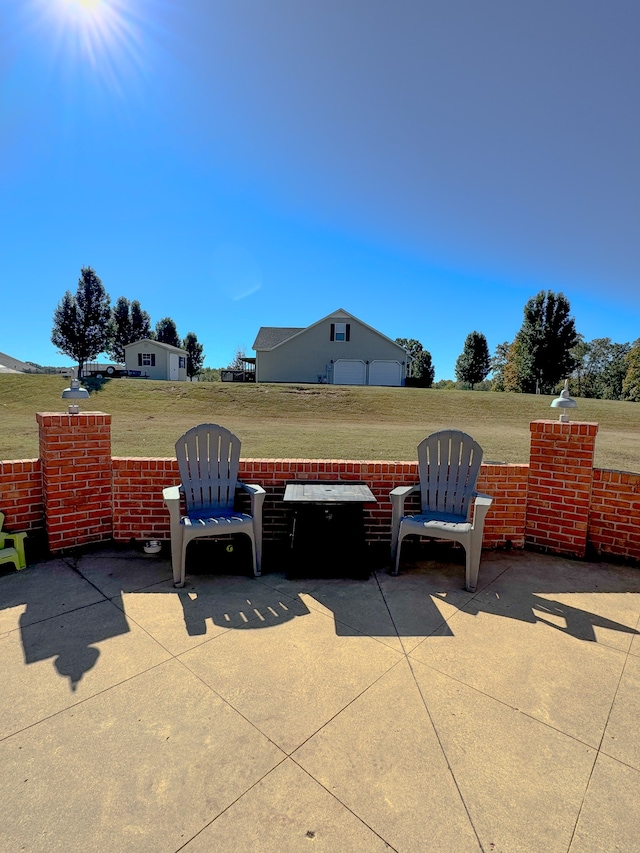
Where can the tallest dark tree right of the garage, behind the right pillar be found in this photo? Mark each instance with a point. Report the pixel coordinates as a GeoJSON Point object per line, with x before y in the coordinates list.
{"type": "Point", "coordinates": [544, 343]}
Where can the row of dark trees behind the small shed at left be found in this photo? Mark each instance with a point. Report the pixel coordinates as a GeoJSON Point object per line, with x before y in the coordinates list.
{"type": "Point", "coordinates": [85, 325]}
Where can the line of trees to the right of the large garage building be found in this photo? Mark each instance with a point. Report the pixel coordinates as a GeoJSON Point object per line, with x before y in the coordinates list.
{"type": "Point", "coordinates": [546, 350]}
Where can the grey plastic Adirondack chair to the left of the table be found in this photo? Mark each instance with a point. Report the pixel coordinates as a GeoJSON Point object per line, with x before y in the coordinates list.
{"type": "Point", "coordinates": [208, 458]}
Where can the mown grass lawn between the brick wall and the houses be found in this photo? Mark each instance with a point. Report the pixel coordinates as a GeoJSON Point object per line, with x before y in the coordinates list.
{"type": "Point", "coordinates": [314, 421]}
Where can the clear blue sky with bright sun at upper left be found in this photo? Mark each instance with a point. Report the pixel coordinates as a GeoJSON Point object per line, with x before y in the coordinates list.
{"type": "Point", "coordinates": [427, 165]}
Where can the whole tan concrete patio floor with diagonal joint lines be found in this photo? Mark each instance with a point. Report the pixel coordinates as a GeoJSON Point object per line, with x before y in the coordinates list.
{"type": "Point", "coordinates": [320, 715]}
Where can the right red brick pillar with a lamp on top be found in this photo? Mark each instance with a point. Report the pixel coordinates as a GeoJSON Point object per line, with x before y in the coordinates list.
{"type": "Point", "coordinates": [559, 487]}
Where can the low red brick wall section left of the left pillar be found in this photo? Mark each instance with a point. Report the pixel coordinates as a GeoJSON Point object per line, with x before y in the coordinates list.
{"type": "Point", "coordinates": [21, 498]}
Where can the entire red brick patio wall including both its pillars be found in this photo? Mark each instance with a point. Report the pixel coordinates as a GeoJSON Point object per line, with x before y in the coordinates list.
{"type": "Point", "coordinates": [558, 502]}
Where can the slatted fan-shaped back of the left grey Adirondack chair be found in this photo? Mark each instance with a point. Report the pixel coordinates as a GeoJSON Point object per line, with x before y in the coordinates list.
{"type": "Point", "coordinates": [208, 459]}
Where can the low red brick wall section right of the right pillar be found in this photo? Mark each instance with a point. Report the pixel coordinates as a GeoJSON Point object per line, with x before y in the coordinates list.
{"type": "Point", "coordinates": [614, 514]}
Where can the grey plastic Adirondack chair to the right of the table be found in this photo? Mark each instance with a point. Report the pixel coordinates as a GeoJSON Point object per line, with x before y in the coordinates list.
{"type": "Point", "coordinates": [449, 462]}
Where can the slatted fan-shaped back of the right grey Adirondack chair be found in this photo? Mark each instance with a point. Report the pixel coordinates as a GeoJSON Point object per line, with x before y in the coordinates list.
{"type": "Point", "coordinates": [449, 463]}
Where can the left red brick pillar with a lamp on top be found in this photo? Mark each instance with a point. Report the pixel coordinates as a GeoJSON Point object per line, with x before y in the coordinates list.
{"type": "Point", "coordinates": [75, 455]}
